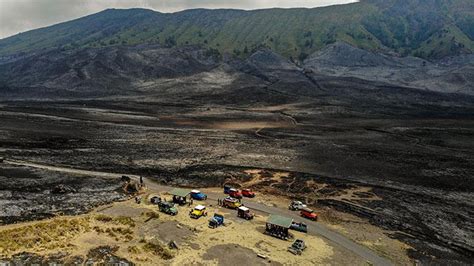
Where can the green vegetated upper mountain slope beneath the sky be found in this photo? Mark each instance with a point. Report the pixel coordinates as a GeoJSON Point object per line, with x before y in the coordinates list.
{"type": "Point", "coordinates": [424, 28]}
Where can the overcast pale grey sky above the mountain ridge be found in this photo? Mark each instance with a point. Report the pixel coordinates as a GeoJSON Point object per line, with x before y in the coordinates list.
{"type": "Point", "coordinates": [21, 15]}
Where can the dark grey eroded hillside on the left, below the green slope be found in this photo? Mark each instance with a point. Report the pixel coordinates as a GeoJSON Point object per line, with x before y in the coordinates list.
{"type": "Point", "coordinates": [93, 72]}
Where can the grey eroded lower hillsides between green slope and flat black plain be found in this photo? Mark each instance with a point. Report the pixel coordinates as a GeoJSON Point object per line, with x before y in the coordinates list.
{"type": "Point", "coordinates": [150, 69]}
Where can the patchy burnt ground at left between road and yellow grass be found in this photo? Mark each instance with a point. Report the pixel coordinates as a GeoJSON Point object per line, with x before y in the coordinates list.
{"type": "Point", "coordinates": [29, 194]}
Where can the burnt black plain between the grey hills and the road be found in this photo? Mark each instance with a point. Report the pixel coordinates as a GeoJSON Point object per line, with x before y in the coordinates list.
{"type": "Point", "coordinates": [420, 167]}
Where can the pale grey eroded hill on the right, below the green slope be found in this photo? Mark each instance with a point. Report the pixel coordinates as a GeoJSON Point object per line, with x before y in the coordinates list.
{"type": "Point", "coordinates": [452, 74]}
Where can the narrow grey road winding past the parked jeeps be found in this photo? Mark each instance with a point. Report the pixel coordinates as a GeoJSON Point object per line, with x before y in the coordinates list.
{"type": "Point", "coordinates": [314, 228]}
